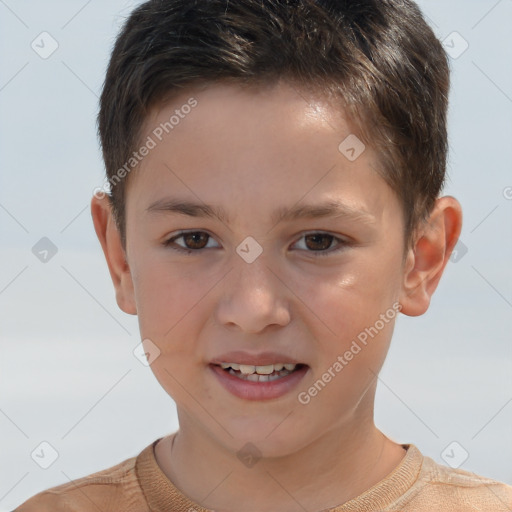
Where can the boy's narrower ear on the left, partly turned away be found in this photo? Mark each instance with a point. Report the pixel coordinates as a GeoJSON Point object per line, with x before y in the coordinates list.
{"type": "Point", "coordinates": [110, 240]}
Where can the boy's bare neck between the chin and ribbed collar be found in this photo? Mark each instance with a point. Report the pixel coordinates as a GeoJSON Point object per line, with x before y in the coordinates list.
{"type": "Point", "coordinates": [326, 473]}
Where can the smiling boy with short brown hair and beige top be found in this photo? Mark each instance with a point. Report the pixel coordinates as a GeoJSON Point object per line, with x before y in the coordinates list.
{"type": "Point", "coordinates": [236, 137]}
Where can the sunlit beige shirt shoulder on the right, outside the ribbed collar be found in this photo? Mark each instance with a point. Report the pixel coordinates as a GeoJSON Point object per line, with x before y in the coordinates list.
{"type": "Point", "coordinates": [458, 490]}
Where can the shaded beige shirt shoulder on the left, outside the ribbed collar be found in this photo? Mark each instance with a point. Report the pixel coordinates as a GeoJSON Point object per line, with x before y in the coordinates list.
{"type": "Point", "coordinates": [116, 486]}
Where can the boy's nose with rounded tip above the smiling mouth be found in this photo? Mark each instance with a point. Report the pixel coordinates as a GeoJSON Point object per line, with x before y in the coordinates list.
{"type": "Point", "coordinates": [254, 298]}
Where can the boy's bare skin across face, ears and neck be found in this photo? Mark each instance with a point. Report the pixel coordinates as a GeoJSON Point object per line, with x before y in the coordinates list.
{"type": "Point", "coordinates": [252, 151]}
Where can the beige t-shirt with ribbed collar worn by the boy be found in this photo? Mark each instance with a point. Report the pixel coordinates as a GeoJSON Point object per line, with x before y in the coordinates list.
{"type": "Point", "coordinates": [417, 484]}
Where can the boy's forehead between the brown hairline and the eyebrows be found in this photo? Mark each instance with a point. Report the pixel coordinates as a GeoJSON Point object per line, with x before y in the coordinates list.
{"type": "Point", "coordinates": [227, 145]}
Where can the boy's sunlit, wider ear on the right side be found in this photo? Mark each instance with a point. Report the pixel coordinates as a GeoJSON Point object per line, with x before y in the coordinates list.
{"type": "Point", "coordinates": [427, 259]}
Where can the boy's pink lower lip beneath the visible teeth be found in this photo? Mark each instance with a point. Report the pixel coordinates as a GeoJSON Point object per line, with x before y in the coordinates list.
{"type": "Point", "coordinates": [249, 390]}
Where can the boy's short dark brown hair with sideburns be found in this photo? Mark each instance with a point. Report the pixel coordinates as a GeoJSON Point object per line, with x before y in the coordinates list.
{"type": "Point", "coordinates": [378, 58]}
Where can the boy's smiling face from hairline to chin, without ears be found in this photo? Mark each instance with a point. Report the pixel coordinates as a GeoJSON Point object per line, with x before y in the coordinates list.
{"type": "Point", "coordinates": [252, 154]}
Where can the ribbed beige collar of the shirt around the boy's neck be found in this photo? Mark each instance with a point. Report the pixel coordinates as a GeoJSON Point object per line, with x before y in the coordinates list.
{"type": "Point", "coordinates": [162, 495]}
